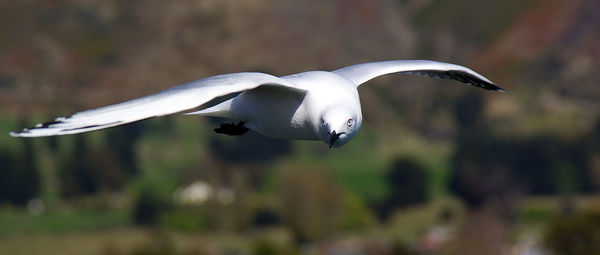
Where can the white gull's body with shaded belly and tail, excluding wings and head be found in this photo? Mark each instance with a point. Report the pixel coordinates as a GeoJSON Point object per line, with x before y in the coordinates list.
{"type": "Point", "coordinates": [266, 108]}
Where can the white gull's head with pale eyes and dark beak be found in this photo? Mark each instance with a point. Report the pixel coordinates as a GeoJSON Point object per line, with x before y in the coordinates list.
{"type": "Point", "coordinates": [339, 125]}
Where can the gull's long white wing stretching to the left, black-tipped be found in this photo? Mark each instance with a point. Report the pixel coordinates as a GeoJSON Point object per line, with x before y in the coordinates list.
{"type": "Point", "coordinates": [180, 98]}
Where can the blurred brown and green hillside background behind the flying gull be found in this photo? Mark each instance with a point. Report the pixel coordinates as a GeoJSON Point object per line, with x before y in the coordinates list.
{"type": "Point", "coordinates": [437, 168]}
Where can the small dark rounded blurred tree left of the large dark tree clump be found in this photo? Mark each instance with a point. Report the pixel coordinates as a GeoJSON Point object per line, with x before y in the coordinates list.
{"type": "Point", "coordinates": [407, 183]}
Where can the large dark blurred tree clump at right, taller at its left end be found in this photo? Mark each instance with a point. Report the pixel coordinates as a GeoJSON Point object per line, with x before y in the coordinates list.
{"type": "Point", "coordinates": [485, 165]}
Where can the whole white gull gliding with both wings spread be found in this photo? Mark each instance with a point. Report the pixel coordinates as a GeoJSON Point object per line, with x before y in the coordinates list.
{"type": "Point", "coordinates": [314, 105]}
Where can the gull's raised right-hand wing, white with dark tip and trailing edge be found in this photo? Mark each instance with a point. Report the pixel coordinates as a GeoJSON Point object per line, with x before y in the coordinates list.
{"type": "Point", "coordinates": [363, 72]}
